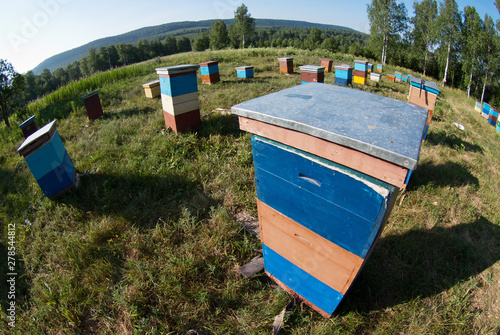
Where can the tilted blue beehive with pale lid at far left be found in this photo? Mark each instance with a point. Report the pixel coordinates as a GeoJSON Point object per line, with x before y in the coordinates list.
{"type": "Point", "coordinates": [48, 161]}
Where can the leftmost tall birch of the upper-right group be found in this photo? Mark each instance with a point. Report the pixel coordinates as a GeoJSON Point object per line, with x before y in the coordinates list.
{"type": "Point", "coordinates": [387, 21]}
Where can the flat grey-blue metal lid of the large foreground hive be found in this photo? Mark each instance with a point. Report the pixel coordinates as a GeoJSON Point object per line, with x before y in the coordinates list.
{"type": "Point", "coordinates": [389, 129]}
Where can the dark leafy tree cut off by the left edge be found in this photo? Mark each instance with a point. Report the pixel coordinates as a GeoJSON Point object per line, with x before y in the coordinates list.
{"type": "Point", "coordinates": [11, 84]}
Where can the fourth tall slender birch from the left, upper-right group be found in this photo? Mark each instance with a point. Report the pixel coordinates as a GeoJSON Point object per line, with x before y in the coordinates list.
{"type": "Point", "coordinates": [471, 54]}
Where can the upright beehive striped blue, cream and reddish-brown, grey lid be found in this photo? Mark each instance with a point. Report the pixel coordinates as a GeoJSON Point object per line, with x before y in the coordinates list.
{"type": "Point", "coordinates": [179, 97]}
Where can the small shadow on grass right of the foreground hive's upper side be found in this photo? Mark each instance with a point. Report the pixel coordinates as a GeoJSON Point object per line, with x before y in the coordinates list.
{"type": "Point", "coordinates": [448, 174]}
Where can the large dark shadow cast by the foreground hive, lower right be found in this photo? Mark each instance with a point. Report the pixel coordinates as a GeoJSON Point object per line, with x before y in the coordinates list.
{"type": "Point", "coordinates": [423, 263]}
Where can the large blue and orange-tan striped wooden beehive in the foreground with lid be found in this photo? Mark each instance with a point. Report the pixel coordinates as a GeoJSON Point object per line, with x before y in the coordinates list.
{"type": "Point", "coordinates": [328, 171]}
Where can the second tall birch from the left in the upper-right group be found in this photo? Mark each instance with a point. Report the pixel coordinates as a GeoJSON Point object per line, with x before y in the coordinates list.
{"type": "Point", "coordinates": [424, 28]}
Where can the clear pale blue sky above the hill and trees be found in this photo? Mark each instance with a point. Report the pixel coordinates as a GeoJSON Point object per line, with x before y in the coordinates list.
{"type": "Point", "coordinates": [34, 30]}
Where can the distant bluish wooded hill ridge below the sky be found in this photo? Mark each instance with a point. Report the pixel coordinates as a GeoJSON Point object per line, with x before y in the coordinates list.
{"type": "Point", "coordinates": [160, 32]}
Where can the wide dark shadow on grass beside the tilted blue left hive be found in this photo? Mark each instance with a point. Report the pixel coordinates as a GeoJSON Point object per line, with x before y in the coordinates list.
{"type": "Point", "coordinates": [142, 200]}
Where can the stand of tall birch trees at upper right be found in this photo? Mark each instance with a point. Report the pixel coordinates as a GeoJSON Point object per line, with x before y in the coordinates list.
{"type": "Point", "coordinates": [458, 48]}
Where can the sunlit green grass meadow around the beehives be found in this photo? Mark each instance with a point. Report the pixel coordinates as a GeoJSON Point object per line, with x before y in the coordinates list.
{"type": "Point", "coordinates": [147, 243]}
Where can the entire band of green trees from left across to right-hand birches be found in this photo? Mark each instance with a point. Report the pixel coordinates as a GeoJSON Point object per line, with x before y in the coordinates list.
{"type": "Point", "coordinates": [455, 47]}
